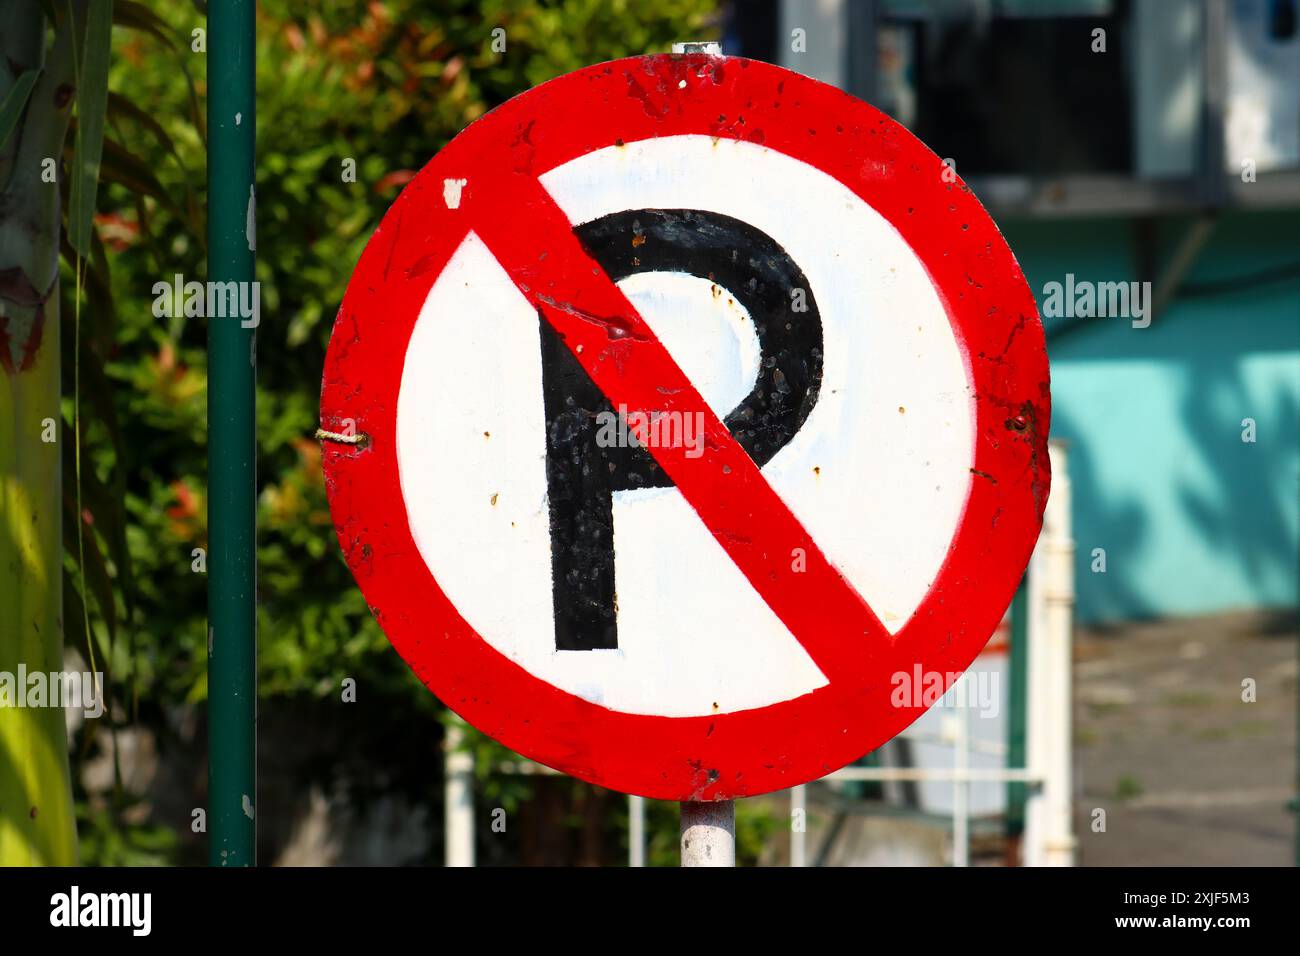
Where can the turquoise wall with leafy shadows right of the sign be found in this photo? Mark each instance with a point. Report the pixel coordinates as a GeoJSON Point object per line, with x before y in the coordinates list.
{"type": "Point", "coordinates": [1191, 518]}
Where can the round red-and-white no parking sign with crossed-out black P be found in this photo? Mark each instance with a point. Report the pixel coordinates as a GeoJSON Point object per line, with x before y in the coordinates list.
{"type": "Point", "coordinates": [699, 404]}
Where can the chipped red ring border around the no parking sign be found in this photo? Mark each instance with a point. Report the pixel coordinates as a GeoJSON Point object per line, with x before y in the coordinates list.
{"type": "Point", "coordinates": [993, 314]}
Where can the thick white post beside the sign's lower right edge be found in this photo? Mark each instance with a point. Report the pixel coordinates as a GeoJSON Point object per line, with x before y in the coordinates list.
{"type": "Point", "coordinates": [1048, 814]}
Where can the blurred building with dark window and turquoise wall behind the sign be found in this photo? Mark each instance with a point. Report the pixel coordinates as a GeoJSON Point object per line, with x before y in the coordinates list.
{"type": "Point", "coordinates": [1119, 142]}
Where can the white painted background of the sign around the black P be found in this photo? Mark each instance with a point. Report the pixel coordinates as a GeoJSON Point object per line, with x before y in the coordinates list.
{"type": "Point", "coordinates": [878, 473]}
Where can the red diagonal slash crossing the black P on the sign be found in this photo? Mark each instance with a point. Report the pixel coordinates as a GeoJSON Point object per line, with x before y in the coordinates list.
{"type": "Point", "coordinates": [729, 492]}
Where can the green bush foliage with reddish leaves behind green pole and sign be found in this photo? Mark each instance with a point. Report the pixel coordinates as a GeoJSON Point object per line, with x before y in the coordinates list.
{"type": "Point", "coordinates": [385, 86]}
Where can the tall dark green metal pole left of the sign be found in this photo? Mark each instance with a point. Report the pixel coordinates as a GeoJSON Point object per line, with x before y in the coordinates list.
{"type": "Point", "coordinates": [232, 443]}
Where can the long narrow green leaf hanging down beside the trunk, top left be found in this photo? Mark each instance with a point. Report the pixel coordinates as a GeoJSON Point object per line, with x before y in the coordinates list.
{"type": "Point", "coordinates": [92, 107]}
